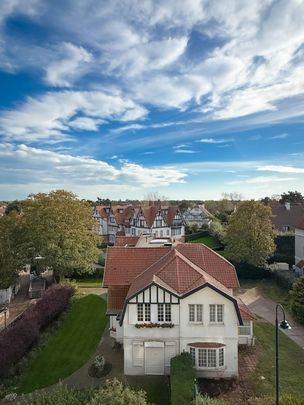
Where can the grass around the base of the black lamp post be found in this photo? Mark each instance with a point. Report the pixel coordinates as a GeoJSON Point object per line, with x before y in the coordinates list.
{"type": "Point", "coordinates": [291, 362]}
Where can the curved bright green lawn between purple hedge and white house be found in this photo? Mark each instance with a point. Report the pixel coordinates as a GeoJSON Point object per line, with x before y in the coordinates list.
{"type": "Point", "coordinates": [70, 347]}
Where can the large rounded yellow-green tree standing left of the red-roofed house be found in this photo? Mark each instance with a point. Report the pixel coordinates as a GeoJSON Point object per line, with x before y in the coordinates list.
{"type": "Point", "coordinates": [59, 227]}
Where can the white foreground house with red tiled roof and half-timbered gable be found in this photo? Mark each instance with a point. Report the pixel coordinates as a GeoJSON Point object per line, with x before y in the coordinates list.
{"type": "Point", "coordinates": [166, 300]}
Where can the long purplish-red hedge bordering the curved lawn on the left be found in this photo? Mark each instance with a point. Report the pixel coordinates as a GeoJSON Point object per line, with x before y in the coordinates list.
{"type": "Point", "coordinates": [18, 338]}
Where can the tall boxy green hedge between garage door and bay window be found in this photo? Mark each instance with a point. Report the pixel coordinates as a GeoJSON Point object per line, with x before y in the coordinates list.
{"type": "Point", "coordinates": [182, 379]}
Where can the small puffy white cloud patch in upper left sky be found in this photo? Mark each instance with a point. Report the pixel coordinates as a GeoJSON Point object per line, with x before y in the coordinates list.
{"type": "Point", "coordinates": [70, 62]}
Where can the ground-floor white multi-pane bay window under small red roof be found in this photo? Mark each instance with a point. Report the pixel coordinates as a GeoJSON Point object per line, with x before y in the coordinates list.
{"type": "Point", "coordinates": [208, 358]}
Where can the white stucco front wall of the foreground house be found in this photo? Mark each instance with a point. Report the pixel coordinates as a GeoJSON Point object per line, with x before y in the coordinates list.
{"type": "Point", "coordinates": [183, 332]}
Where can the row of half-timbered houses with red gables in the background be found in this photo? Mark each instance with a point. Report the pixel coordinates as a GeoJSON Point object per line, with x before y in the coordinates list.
{"type": "Point", "coordinates": [135, 221]}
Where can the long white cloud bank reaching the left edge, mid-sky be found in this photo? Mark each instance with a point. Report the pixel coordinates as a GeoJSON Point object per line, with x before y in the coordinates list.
{"type": "Point", "coordinates": [53, 115]}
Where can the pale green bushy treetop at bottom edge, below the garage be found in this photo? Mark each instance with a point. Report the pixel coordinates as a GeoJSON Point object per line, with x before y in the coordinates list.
{"type": "Point", "coordinates": [115, 393]}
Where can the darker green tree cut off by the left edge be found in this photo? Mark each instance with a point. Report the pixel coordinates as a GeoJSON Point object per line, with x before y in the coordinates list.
{"type": "Point", "coordinates": [11, 253]}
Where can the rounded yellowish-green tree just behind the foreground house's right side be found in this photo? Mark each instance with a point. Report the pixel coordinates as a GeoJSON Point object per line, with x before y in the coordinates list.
{"type": "Point", "coordinates": [250, 237]}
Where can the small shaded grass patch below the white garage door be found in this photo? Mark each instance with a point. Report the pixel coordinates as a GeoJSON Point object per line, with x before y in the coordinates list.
{"type": "Point", "coordinates": [156, 387]}
